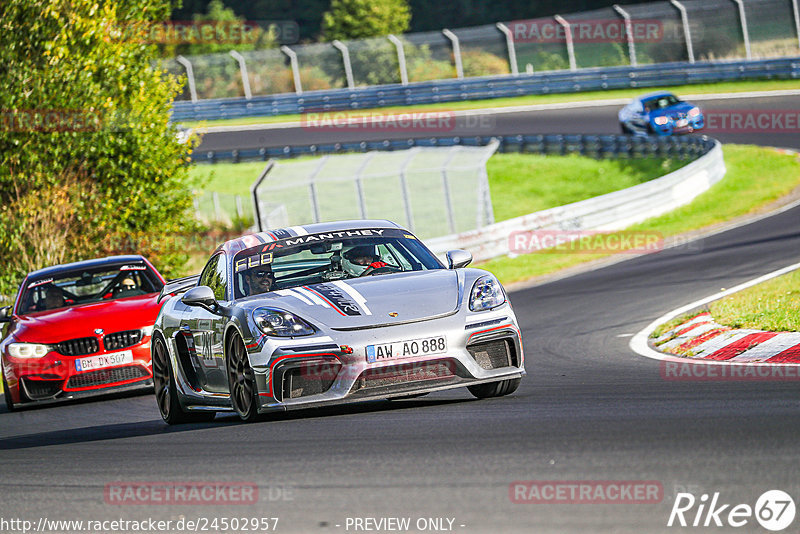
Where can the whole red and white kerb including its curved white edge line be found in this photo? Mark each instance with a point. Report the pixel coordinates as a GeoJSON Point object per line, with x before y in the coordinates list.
{"type": "Point", "coordinates": [702, 341]}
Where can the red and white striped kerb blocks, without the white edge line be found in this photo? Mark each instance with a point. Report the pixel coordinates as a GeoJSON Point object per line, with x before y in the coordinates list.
{"type": "Point", "coordinates": [702, 338]}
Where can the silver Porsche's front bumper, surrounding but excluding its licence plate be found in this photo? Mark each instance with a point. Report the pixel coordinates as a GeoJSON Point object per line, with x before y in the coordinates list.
{"type": "Point", "coordinates": [333, 369]}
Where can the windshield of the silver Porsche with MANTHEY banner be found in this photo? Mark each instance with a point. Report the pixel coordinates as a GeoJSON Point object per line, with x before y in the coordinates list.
{"type": "Point", "coordinates": [326, 257]}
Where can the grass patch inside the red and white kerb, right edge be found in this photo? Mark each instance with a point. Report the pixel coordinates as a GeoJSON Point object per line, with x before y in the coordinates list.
{"type": "Point", "coordinates": [773, 305]}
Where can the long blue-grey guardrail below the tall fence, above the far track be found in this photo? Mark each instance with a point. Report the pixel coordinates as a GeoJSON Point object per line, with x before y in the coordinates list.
{"type": "Point", "coordinates": [435, 92]}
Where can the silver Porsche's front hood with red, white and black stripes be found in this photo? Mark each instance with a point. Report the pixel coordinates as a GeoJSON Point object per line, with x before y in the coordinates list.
{"type": "Point", "coordinates": [369, 301]}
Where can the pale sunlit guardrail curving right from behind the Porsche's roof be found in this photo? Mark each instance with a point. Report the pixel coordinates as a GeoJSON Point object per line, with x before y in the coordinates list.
{"type": "Point", "coordinates": [613, 211]}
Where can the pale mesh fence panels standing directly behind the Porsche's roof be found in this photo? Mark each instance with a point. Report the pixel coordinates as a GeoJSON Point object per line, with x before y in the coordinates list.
{"type": "Point", "coordinates": [432, 191]}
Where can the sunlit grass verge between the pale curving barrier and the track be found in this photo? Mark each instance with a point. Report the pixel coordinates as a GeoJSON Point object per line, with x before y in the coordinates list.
{"type": "Point", "coordinates": [756, 177]}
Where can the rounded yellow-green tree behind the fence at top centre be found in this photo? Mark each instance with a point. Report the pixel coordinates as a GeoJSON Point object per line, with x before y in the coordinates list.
{"type": "Point", "coordinates": [358, 19]}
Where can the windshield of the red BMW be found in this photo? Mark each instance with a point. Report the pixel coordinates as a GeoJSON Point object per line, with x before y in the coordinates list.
{"type": "Point", "coordinates": [84, 286]}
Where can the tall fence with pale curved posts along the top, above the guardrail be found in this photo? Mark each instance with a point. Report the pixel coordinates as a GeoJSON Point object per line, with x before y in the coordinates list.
{"type": "Point", "coordinates": [655, 32]}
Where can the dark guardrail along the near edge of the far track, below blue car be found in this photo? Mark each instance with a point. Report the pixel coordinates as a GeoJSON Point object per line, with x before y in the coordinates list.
{"type": "Point", "coordinates": [597, 146]}
